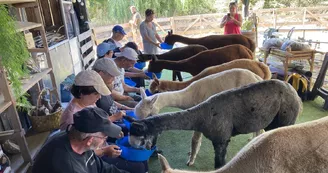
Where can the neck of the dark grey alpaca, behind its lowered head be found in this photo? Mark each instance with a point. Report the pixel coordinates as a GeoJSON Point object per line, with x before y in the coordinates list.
{"type": "Point", "coordinates": [182, 120]}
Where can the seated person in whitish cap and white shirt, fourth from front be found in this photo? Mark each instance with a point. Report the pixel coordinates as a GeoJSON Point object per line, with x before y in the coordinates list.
{"type": "Point", "coordinates": [125, 60]}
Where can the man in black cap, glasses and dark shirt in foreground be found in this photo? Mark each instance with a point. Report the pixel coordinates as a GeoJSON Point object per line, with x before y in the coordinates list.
{"type": "Point", "coordinates": [72, 151]}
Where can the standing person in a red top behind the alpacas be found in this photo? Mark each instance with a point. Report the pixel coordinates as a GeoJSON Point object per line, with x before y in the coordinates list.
{"type": "Point", "coordinates": [232, 21]}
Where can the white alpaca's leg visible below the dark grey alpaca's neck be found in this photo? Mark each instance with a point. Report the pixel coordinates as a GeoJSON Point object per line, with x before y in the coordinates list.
{"type": "Point", "coordinates": [196, 142]}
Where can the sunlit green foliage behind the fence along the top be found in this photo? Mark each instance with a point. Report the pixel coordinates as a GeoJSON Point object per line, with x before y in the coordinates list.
{"type": "Point", "coordinates": [104, 12]}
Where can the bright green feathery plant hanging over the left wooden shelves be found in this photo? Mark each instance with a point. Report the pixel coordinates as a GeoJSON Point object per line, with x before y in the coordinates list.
{"type": "Point", "coordinates": [13, 52]}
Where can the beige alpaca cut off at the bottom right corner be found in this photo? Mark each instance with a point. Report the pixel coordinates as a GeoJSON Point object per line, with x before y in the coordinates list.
{"type": "Point", "coordinates": [299, 148]}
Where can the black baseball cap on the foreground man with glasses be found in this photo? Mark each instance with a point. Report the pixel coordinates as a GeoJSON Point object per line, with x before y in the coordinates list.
{"type": "Point", "coordinates": [92, 120]}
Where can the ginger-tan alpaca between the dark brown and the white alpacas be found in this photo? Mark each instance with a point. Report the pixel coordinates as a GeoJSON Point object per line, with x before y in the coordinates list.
{"type": "Point", "coordinates": [256, 67]}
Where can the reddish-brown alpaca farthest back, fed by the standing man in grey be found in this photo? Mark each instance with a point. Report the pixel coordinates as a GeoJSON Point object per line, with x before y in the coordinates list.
{"type": "Point", "coordinates": [212, 41]}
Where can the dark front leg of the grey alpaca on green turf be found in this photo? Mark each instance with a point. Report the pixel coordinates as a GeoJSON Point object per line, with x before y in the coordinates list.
{"type": "Point", "coordinates": [220, 148]}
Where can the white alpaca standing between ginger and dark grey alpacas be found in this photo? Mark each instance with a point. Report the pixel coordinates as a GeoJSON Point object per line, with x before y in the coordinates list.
{"type": "Point", "coordinates": [194, 94]}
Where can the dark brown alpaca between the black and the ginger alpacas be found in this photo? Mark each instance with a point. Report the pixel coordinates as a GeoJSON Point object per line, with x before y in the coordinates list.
{"type": "Point", "coordinates": [202, 60]}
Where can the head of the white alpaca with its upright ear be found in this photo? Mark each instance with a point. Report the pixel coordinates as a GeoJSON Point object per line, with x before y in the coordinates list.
{"type": "Point", "coordinates": [146, 106]}
